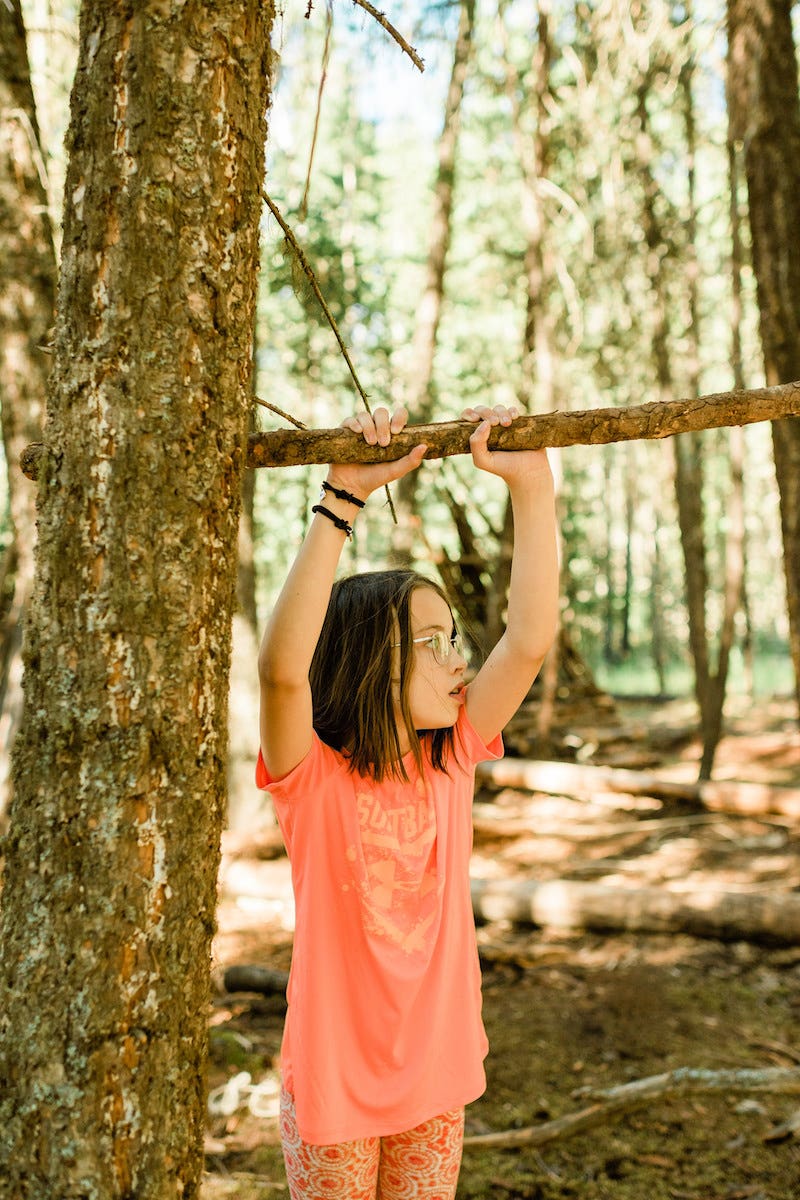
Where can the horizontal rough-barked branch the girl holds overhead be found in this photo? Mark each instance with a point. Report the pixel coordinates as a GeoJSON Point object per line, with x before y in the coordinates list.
{"type": "Point", "coordinates": [597, 427]}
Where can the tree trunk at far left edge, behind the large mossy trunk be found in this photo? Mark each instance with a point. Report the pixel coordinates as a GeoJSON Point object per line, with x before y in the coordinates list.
{"type": "Point", "coordinates": [28, 275]}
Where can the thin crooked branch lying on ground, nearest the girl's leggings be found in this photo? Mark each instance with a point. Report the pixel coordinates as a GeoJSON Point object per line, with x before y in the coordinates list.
{"type": "Point", "coordinates": [615, 1102]}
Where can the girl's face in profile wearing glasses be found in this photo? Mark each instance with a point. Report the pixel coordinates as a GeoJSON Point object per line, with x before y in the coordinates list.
{"type": "Point", "coordinates": [436, 689]}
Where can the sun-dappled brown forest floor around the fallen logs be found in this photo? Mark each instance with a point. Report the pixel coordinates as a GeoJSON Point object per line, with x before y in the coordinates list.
{"type": "Point", "coordinates": [573, 1010]}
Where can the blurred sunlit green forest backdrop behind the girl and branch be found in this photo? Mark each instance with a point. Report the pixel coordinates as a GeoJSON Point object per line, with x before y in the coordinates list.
{"type": "Point", "coordinates": [576, 238]}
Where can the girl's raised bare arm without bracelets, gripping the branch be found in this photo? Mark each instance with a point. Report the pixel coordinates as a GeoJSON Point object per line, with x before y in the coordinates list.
{"type": "Point", "coordinates": [506, 679]}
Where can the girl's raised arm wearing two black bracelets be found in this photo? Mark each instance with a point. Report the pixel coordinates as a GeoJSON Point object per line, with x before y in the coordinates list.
{"type": "Point", "coordinates": [293, 631]}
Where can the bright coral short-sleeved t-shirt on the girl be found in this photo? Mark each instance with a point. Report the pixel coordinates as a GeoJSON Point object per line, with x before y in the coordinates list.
{"type": "Point", "coordinates": [384, 1025]}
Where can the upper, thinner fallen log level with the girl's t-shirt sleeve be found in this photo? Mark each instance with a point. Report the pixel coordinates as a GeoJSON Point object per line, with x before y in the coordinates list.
{"type": "Point", "coordinates": [576, 779]}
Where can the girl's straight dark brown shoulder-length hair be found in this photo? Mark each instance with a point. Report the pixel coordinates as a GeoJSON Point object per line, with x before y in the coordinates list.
{"type": "Point", "coordinates": [352, 675]}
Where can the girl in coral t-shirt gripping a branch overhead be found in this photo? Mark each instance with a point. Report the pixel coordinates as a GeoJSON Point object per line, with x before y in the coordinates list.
{"type": "Point", "coordinates": [370, 741]}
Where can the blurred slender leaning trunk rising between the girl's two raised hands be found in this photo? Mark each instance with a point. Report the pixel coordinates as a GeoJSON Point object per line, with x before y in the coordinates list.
{"type": "Point", "coordinates": [419, 398]}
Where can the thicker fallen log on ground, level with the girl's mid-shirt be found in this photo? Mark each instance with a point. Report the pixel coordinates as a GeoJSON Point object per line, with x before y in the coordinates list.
{"type": "Point", "coordinates": [766, 919]}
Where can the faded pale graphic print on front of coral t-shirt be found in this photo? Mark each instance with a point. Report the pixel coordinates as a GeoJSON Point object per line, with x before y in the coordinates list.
{"type": "Point", "coordinates": [395, 867]}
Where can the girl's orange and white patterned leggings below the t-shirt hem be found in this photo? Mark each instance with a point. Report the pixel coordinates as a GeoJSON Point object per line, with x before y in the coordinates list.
{"type": "Point", "coordinates": [422, 1165]}
